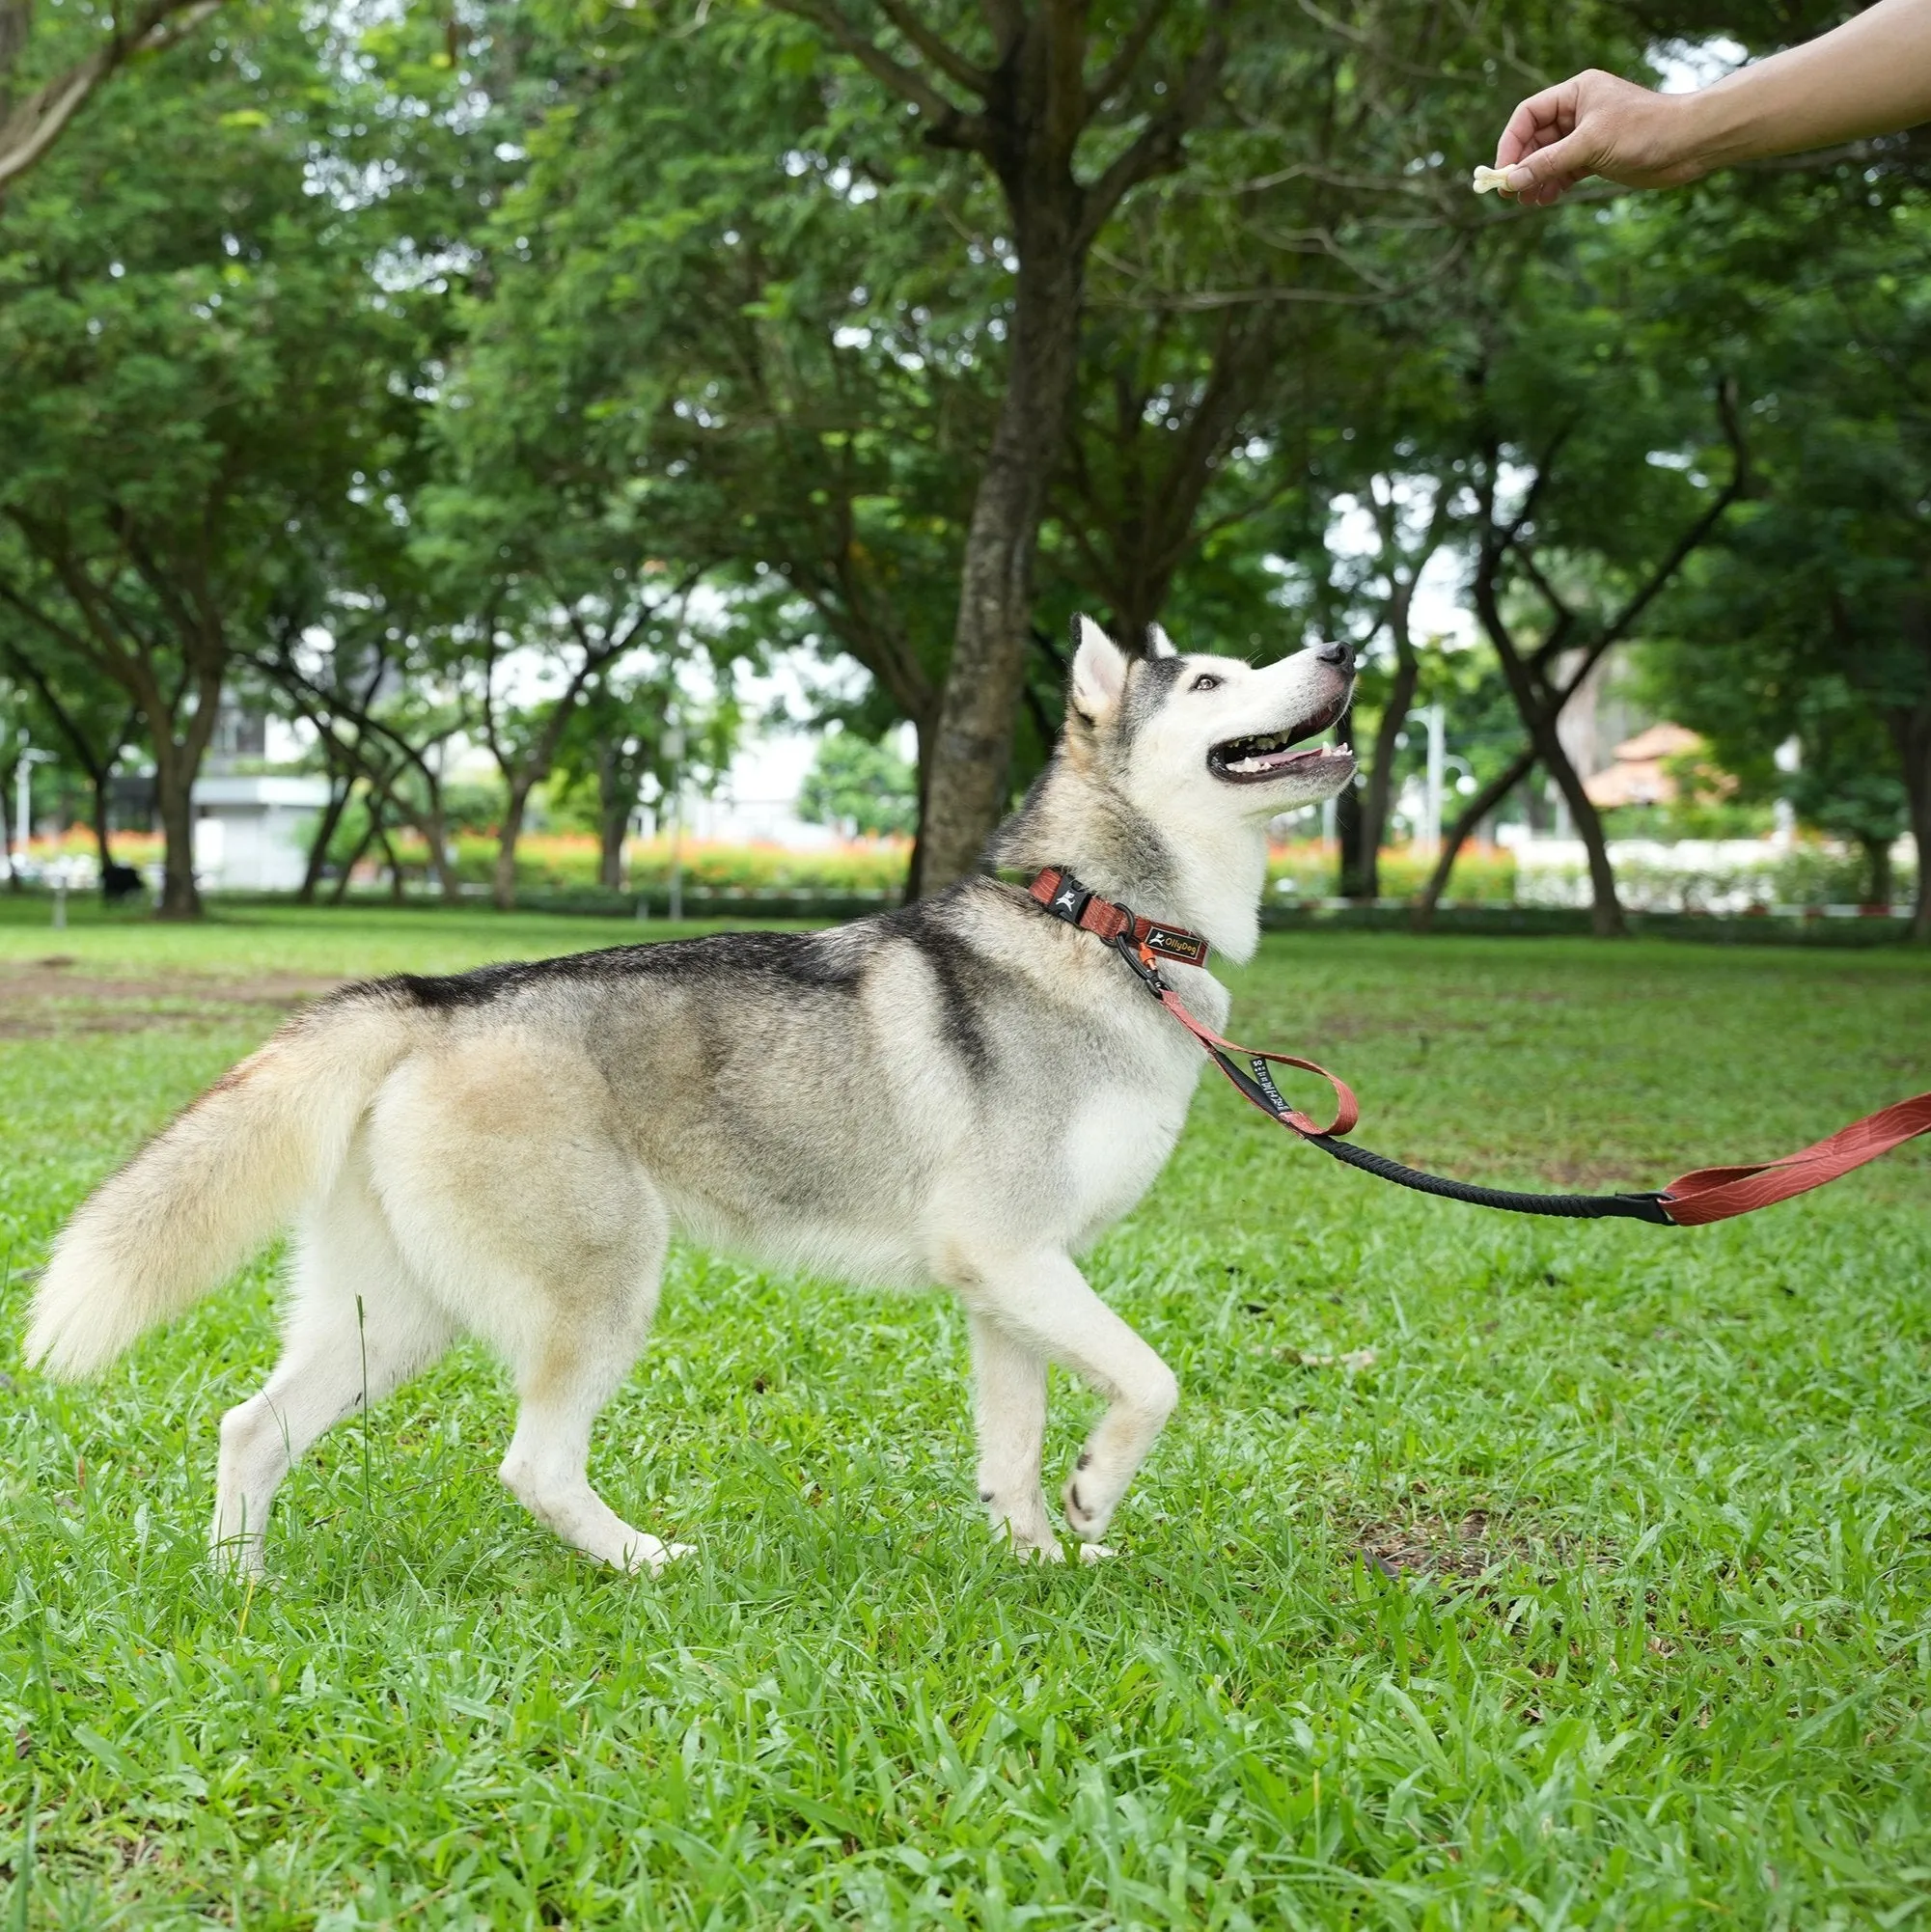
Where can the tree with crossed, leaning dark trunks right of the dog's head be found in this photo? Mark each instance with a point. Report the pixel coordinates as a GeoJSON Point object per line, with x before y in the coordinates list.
{"type": "Point", "coordinates": [1604, 438]}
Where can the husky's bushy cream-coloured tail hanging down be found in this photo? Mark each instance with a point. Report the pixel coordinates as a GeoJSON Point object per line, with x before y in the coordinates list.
{"type": "Point", "coordinates": [210, 1189]}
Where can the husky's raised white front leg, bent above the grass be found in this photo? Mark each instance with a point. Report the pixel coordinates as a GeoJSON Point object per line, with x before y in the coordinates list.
{"type": "Point", "coordinates": [1046, 1303]}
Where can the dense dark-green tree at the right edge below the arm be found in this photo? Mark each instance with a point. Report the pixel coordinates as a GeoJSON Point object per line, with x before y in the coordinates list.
{"type": "Point", "coordinates": [1814, 608]}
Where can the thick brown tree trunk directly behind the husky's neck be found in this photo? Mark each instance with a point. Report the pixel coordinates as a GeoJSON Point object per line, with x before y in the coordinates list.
{"type": "Point", "coordinates": [972, 745]}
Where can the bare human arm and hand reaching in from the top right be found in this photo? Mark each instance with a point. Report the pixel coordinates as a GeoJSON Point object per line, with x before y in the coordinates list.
{"type": "Point", "coordinates": [1868, 76]}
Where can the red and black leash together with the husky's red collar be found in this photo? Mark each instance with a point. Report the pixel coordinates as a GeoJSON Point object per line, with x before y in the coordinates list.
{"type": "Point", "coordinates": [1691, 1201]}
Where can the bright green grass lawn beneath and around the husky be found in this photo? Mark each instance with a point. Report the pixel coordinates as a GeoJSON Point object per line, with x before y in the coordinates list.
{"type": "Point", "coordinates": [1602, 1597]}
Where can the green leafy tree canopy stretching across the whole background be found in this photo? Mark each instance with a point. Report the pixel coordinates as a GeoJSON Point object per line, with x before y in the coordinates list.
{"type": "Point", "coordinates": [486, 353]}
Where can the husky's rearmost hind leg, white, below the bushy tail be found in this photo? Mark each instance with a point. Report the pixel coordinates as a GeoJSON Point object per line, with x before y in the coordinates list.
{"type": "Point", "coordinates": [356, 1330]}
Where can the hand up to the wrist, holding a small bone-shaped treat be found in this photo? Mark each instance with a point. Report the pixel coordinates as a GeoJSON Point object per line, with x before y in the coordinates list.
{"type": "Point", "coordinates": [1598, 125]}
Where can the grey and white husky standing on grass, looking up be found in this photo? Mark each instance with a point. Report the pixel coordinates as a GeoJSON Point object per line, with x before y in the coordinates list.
{"type": "Point", "coordinates": [963, 1093]}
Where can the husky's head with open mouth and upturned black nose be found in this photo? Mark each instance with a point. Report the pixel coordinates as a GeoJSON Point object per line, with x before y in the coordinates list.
{"type": "Point", "coordinates": [1208, 739]}
